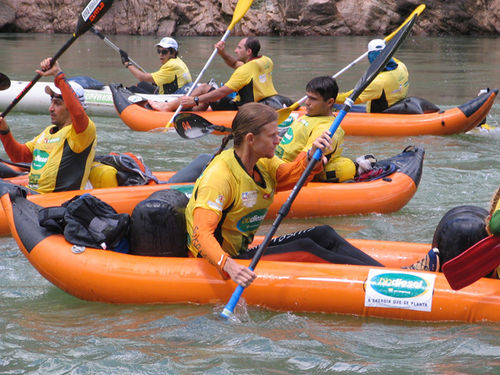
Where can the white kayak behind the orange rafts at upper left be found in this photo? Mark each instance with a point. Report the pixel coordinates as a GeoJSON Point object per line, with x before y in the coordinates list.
{"type": "Point", "coordinates": [99, 101]}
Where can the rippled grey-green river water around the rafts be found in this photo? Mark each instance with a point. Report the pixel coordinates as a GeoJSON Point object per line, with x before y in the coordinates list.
{"type": "Point", "coordinates": [45, 331]}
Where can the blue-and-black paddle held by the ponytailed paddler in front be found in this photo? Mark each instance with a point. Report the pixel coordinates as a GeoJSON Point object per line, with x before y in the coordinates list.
{"type": "Point", "coordinates": [378, 64]}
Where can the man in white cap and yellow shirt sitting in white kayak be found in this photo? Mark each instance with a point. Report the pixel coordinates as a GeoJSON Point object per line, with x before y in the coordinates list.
{"type": "Point", "coordinates": [173, 77]}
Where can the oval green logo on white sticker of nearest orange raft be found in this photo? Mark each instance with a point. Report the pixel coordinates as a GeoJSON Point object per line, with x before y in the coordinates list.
{"type": "Point", "coordinates": [399, 285]}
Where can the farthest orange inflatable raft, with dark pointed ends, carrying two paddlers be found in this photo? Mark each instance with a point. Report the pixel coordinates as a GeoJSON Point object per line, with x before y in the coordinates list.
{"type": "Point", "coordinates": [455, 120]}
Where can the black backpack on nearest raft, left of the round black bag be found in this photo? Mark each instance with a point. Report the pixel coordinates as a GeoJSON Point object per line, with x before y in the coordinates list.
{"type": "Point", "coordinates": [87, 221]}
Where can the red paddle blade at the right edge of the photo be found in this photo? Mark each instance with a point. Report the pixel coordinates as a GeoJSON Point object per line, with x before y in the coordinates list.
{"type": "Point", "coordinates": [475, 262]}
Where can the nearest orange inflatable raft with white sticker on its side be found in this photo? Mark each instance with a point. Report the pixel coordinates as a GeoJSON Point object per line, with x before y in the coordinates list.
{"type": "Point", "coordinates": [106, 276]}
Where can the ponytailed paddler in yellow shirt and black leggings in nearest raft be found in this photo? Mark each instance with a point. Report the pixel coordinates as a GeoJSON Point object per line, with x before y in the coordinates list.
{"type": "Point", "coordinates": [231, 198]}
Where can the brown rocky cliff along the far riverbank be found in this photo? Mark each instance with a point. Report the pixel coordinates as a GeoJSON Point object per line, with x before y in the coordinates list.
{"type": "Point", "coordinates": [265, 17]}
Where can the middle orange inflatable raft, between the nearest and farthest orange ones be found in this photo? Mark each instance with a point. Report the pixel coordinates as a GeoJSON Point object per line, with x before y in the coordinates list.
{"type": "Point", "coordinates": [316, 199]}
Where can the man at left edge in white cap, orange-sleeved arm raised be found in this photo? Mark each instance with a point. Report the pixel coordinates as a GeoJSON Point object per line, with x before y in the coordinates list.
{"type": "Point", "coordinates": [60, 156]}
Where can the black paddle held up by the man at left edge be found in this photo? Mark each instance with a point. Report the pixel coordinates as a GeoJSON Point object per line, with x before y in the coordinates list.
{"type": "Point", "coordinates": [90, 15]}
